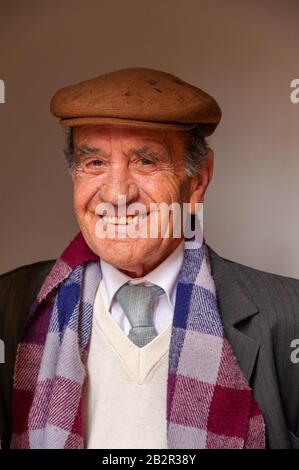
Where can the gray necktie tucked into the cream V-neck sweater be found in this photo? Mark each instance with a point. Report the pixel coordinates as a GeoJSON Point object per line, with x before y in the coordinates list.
{"type": "Point", "coordinates": [137, 302]}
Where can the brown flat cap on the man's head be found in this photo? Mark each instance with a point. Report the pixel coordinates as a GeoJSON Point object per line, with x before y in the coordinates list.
{"type": "Point", "coordinates": [137, 97]}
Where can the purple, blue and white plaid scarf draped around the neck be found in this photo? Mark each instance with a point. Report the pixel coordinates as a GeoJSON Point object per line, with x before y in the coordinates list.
{"type": "Point", "coordinates": [209, 402]}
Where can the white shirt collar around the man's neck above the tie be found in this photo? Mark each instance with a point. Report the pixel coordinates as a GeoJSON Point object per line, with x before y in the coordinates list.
{"type": "Point", "coordinates": [165, 275]}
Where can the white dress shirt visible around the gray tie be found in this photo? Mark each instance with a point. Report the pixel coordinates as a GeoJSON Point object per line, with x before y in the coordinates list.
{"type": "Point", "coordinates": [165, 275]}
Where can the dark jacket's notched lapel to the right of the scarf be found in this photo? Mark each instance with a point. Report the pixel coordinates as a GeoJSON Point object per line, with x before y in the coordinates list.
{"type": "Point", "coordinates": [236, 307]}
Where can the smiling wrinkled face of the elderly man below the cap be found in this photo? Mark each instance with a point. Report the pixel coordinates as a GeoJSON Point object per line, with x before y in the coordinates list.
{"type": "Point", "coordinates": [141, 166]}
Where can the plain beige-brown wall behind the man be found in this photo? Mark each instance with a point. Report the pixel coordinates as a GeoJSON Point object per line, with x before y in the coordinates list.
{"type": "Point", "coordinates": [245, 53]}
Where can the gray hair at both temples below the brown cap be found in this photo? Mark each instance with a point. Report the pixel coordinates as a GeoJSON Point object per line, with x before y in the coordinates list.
{"type": "Point", "coordinates": [195, 156]}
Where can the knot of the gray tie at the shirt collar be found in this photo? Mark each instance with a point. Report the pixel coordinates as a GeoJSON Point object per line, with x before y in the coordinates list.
{"type": "Point", "coordinates": [137, 302]}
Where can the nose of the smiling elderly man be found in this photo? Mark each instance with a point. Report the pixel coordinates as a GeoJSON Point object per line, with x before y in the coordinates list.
{"type": "Point", "coordinates": [118, 183]}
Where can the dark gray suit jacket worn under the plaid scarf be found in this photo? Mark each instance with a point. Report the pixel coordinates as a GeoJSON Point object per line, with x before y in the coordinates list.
{"type": "Point", "coordinates": [260, 312]}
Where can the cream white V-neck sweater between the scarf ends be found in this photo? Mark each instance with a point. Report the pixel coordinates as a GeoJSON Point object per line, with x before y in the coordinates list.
{"type": "Point", "coordinates": [126, 387]}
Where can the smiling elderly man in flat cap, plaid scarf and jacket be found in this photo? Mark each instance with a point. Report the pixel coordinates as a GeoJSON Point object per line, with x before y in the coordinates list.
{"type": "Point", "coordinates": [139, 336]}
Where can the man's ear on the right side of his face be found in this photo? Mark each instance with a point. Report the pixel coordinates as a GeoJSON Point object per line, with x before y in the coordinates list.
{"type": "Point", "coordinates": [200, 182]}
